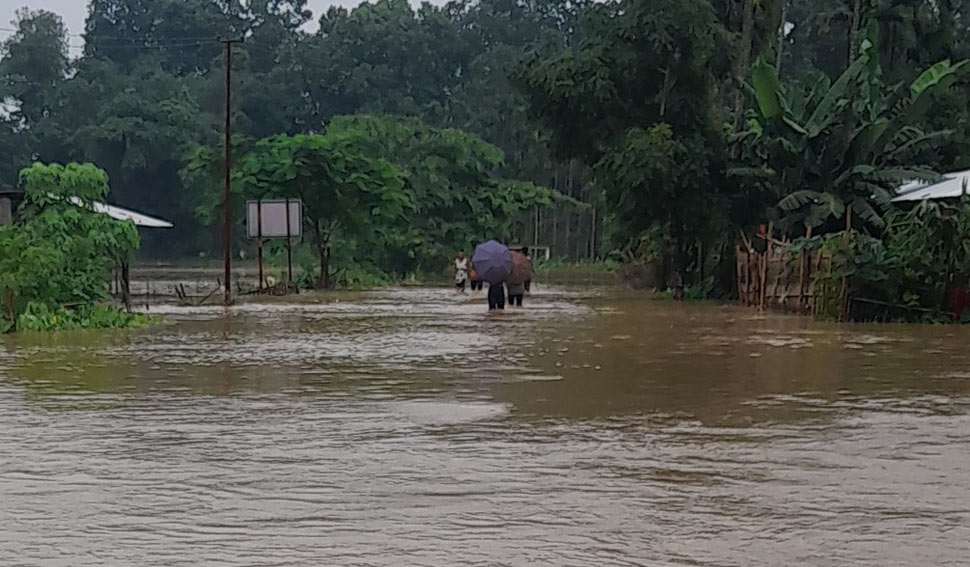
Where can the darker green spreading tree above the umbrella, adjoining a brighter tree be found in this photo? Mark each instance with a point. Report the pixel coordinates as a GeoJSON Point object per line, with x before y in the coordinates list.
{"type": "Point", "coordinates": [453, 180]}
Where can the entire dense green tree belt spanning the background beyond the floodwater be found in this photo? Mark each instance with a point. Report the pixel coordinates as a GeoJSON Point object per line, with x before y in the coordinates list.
{"type": "Point", "coordinates": [651, 129]}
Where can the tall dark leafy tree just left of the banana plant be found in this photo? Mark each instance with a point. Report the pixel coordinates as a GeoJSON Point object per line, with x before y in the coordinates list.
{"type": "Point", "coordinates": [633, 102]}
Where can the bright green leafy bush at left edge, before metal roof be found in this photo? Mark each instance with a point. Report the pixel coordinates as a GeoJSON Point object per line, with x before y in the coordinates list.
{"type": "Point", "coordinates": [62, 253]}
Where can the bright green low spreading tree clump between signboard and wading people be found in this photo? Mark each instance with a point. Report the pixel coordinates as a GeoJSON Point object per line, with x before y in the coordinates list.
{"type": "Point", "coordinates": [395, 196]}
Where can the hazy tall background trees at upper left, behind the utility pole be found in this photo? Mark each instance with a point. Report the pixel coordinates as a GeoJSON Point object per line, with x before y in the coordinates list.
{"type": "Point", "coordinates": [148, 87]}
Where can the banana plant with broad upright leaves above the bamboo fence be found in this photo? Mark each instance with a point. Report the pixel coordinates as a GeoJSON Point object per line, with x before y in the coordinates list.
{"type": "Point", "coordinates": [839, 149]}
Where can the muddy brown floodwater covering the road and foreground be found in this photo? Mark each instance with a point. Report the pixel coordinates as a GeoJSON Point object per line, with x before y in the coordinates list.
{"type": "Point", "coordinates": [409, 427]}
